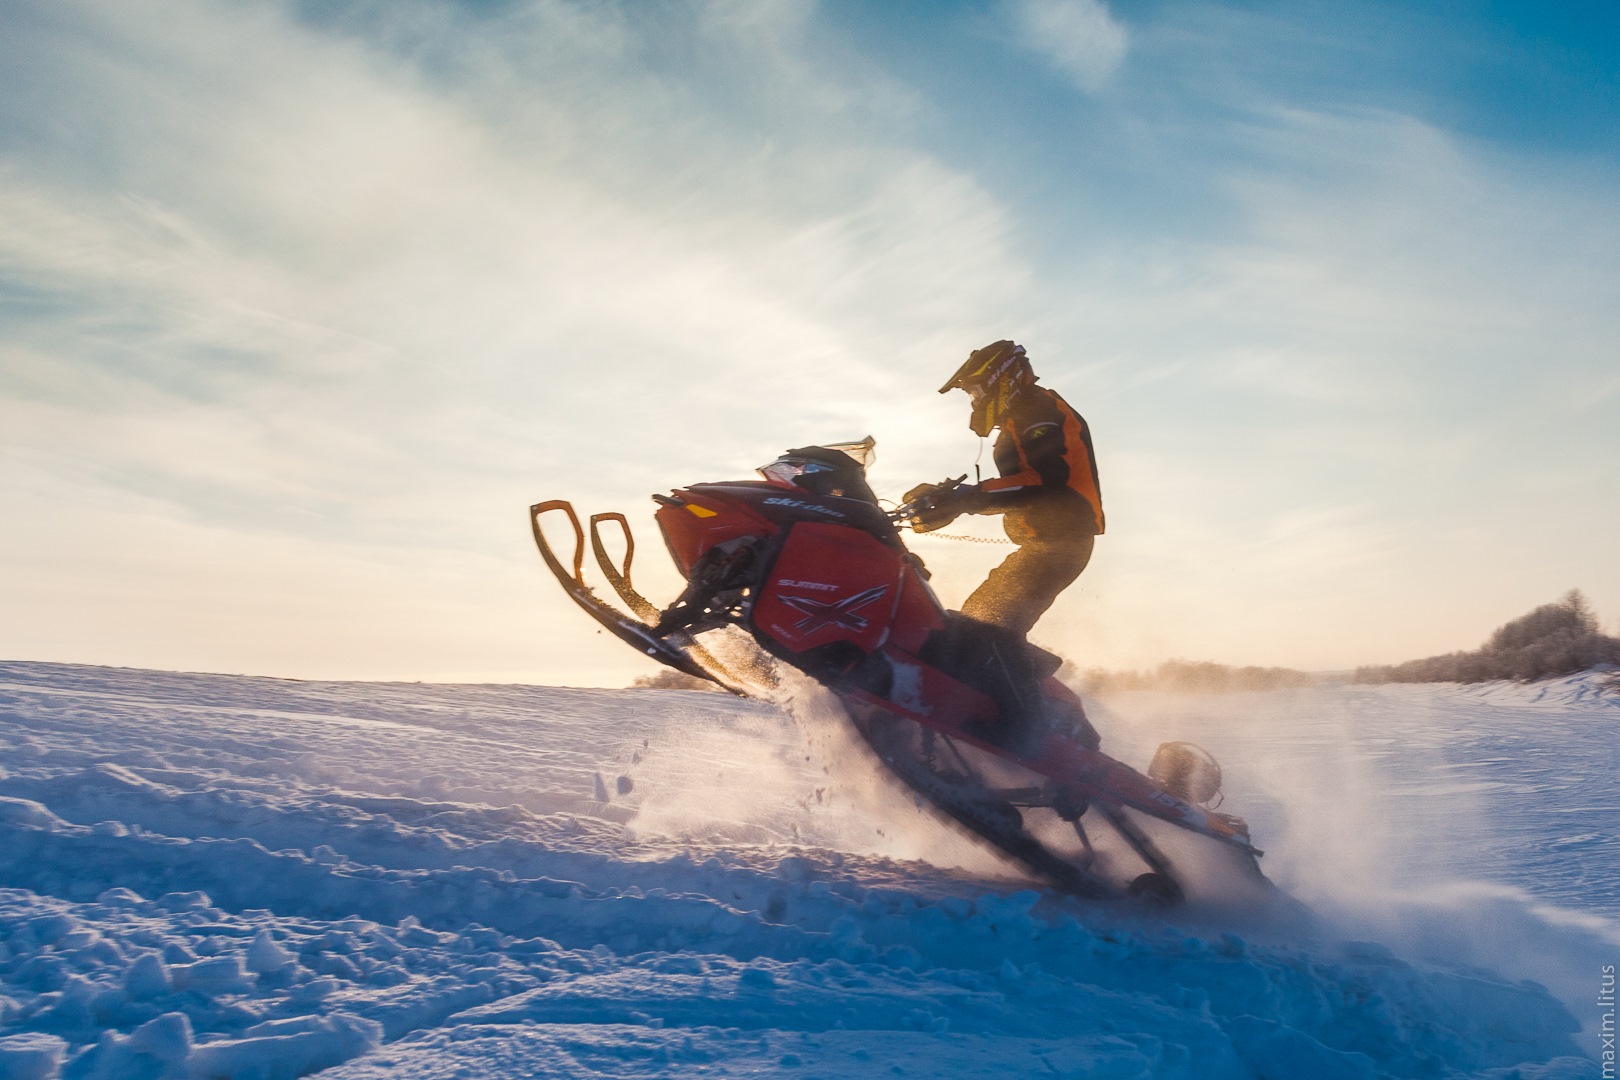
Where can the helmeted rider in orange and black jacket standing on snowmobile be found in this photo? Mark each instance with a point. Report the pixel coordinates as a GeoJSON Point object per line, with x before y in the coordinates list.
{"type": "Point", "coordinates": [1051, 506]}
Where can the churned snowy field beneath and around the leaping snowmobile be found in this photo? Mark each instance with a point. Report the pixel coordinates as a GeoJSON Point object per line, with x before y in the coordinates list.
{"type": "Point", "coordinates": [221, 877]}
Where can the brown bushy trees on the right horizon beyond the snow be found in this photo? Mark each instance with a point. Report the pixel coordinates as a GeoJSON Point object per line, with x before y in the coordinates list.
{"type": "Point", "coordinates": [1554, 640]}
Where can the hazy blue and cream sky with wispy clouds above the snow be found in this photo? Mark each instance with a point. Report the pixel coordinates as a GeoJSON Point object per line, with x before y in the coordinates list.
{"type": "Point", "coordinates": [302, 305]}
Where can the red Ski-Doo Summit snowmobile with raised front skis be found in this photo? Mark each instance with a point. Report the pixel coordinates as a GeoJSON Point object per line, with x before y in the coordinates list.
{"type": "Point", "coordinates": [816, 574]}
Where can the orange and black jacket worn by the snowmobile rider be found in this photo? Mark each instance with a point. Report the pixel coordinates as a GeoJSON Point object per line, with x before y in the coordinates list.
{"type": "Point", "coordinates": [1049, 488]}
